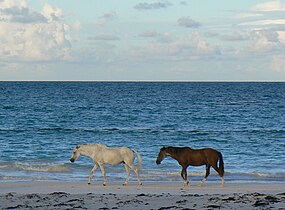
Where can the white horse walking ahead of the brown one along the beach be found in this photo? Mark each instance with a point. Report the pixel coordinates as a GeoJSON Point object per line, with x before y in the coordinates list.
{"type": "Point", "coordinates": [101, 154]}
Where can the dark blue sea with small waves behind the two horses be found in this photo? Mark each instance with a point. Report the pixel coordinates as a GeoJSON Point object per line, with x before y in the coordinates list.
{"type": "Point", "coordinates": [41, 122]}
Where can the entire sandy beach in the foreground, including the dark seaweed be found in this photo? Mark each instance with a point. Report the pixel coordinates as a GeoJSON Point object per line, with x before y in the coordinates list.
{"type": "Point", "coordinates": [152, 195]}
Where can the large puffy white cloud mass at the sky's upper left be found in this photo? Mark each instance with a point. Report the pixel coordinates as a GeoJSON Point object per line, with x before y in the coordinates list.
{"type": "Point", "coordinates": [27, 35]}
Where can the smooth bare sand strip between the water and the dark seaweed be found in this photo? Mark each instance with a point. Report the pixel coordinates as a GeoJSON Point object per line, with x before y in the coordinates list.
{"type": "Point", "coordinates": [176, 188]}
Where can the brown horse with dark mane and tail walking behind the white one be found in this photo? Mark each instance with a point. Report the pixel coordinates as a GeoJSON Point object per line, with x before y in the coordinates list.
{"type": "Point", "coordinates": [194, 157]}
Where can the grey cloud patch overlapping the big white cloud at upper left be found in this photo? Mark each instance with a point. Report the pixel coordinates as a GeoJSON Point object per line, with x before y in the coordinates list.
{"type": "Point", "coordinates": [22, 15]}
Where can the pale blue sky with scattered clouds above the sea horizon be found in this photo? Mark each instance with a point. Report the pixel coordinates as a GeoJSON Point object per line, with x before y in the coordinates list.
{"type": "Point", "coordinates": [140, 40]}
